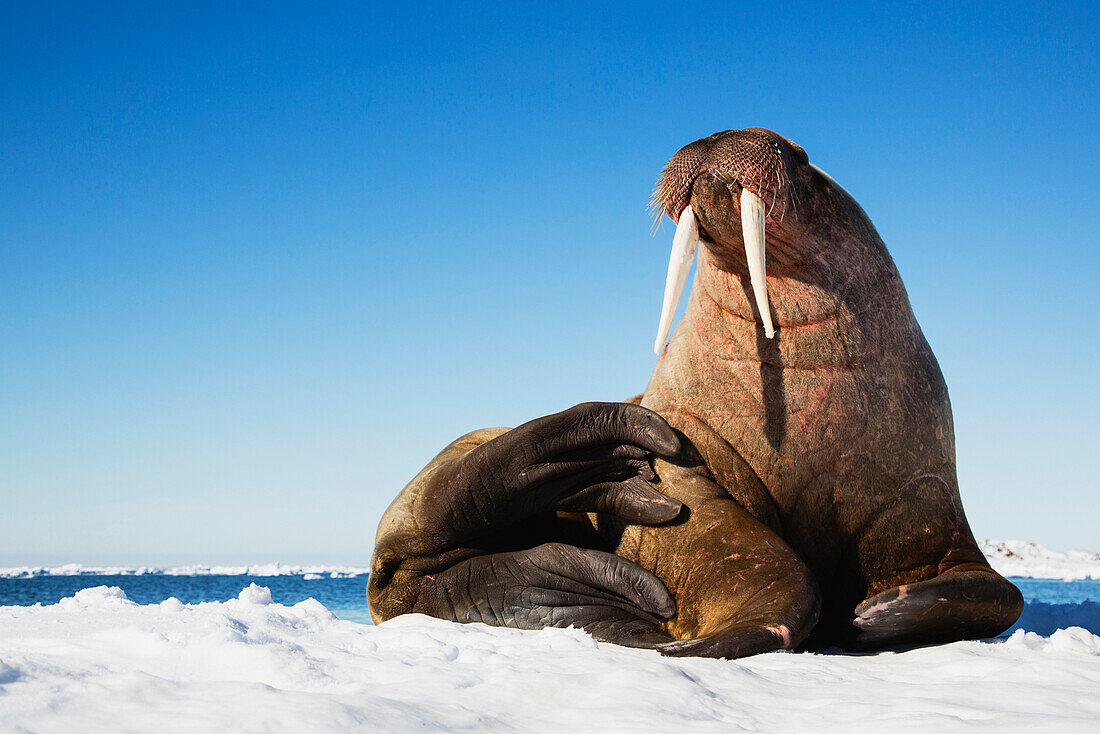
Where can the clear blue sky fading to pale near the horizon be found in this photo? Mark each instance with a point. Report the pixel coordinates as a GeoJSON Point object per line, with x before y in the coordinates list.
{"type": "Point", "coordinates": [259, 264]}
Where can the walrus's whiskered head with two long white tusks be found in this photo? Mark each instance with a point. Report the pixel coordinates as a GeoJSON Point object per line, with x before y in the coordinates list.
{"type": "Point", "coordinates": [747, 195]}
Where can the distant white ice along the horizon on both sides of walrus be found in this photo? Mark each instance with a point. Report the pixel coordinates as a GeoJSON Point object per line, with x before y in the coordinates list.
{"type": "Point", "coordinates": [1020, 558]}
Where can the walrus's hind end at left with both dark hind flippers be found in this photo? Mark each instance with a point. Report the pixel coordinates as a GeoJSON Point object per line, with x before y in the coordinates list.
{"type": "Point", "coordinates": [463, 541]}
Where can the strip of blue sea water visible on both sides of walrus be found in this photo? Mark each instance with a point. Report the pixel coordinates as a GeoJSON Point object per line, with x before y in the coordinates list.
{"type": "Point", "coordinates": [1052, 605]}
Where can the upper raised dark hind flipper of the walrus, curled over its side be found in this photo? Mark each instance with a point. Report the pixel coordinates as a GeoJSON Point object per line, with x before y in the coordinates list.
{"type": "Point", "coordinates": [593, 457]}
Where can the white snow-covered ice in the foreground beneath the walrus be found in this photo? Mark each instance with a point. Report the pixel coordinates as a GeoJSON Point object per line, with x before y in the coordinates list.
{"type": "Point", "coordinates": [97, 662]}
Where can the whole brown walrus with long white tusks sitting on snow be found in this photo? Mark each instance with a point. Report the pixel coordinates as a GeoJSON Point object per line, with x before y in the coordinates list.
{"type": "Point", "coordinates": [787, 480]}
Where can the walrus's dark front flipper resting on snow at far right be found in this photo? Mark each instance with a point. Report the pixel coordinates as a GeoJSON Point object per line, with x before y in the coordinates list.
{"type": "Point", "coordinates": [970, 602]}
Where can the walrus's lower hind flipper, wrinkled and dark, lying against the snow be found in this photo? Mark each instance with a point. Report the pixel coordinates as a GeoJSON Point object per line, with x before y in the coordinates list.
{"type": "Point", "coordinates": [554, 586]}
